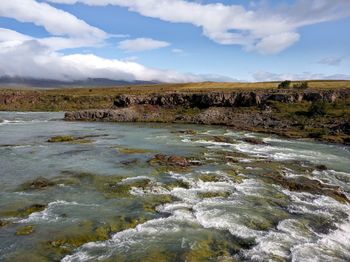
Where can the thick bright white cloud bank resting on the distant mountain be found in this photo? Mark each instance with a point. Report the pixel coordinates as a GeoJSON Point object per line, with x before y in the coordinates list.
{"type": "Point", "coordinates": [31, 58]}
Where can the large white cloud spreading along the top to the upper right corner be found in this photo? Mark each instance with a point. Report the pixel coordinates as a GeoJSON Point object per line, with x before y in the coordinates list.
{"type": "Point", "coordinates": [267, 30]}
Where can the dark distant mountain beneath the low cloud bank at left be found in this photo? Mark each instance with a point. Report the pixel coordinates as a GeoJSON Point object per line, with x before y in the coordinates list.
{"type": "Point", "coordinates": [49, 83]}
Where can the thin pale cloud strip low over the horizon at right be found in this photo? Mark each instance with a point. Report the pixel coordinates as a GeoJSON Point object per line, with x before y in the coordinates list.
{"type": "Point", "coordinates": [268, 76]}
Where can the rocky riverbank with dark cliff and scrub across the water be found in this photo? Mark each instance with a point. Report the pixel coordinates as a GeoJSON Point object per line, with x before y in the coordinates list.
{"type": "Point", "coordinates": [323, 115]}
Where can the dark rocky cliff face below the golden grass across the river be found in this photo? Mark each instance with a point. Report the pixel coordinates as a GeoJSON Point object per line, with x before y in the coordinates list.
{"type": "Point", "coordinates": [233, 99]}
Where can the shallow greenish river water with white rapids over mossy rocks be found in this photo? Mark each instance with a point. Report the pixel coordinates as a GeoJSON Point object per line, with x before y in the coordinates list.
{"type": "Point", "coordinates": [221, 210]}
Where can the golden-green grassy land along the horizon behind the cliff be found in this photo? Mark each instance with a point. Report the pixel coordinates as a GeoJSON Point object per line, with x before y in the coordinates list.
{"type": "Point", "coordinates": [70, 99]}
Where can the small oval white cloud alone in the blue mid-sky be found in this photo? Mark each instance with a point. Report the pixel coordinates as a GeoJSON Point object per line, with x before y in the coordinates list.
{"type": "Point", "coordinates": [141, 44]}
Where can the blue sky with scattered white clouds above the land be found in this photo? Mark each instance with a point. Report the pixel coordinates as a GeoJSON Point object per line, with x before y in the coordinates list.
{"type": "Point", "coordinates": [175, 40]}
